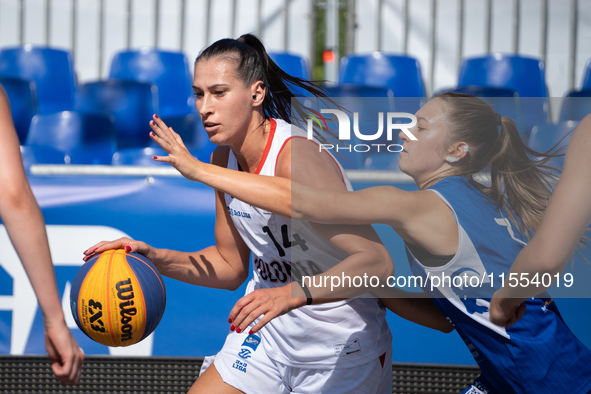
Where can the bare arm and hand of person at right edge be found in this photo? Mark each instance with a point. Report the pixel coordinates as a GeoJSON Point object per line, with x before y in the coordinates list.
{"type": "Point", "coordinates": [567, 217]}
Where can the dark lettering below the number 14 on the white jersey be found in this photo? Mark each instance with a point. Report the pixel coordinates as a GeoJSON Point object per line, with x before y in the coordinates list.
{"type": "Point", "coordinates": [282, 271]}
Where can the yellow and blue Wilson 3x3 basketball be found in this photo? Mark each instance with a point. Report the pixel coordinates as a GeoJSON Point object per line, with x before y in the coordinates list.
{"type": "Point", "coordinates": [118, 298]}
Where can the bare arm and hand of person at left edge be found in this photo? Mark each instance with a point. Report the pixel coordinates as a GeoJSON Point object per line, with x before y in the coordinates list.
{"type": "Point", "coordinates": [25, 225]}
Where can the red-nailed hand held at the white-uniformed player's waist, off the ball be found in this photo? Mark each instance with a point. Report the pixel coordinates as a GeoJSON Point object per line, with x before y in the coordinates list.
{"type": "Point", "coordinates": [268, 303]}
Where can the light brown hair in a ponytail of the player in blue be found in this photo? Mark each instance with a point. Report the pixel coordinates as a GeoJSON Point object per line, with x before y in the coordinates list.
{"type": "Point", "coordinates": [521, 178]}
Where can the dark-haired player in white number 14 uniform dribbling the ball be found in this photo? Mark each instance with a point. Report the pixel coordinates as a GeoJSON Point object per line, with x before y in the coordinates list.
{"type": "Point", "coordinates": [337, 347]}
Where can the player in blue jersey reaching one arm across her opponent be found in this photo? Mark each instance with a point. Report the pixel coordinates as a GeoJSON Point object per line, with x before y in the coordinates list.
{"type": "Point", "coordinates": [453, 227]}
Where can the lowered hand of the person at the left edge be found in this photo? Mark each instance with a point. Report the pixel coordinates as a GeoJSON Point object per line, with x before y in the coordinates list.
{"type": "Point", "coordinates": [64, 353]}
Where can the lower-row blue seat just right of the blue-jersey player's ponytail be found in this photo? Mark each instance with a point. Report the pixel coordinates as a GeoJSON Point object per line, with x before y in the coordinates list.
{"type": "Point", "coordinates": [545, 136]}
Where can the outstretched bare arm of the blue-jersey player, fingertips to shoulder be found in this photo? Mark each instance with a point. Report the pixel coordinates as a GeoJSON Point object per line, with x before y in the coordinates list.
{"type": "Point", "coordinates": [295, 198]}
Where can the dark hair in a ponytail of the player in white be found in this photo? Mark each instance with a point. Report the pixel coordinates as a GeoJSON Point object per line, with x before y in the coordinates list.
{"type": "Point", "coordinates": [254, 64]}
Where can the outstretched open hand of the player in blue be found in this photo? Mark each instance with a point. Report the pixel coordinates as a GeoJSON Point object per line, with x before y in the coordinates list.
{"type": "Point", "coordinates": [178, 155]}
